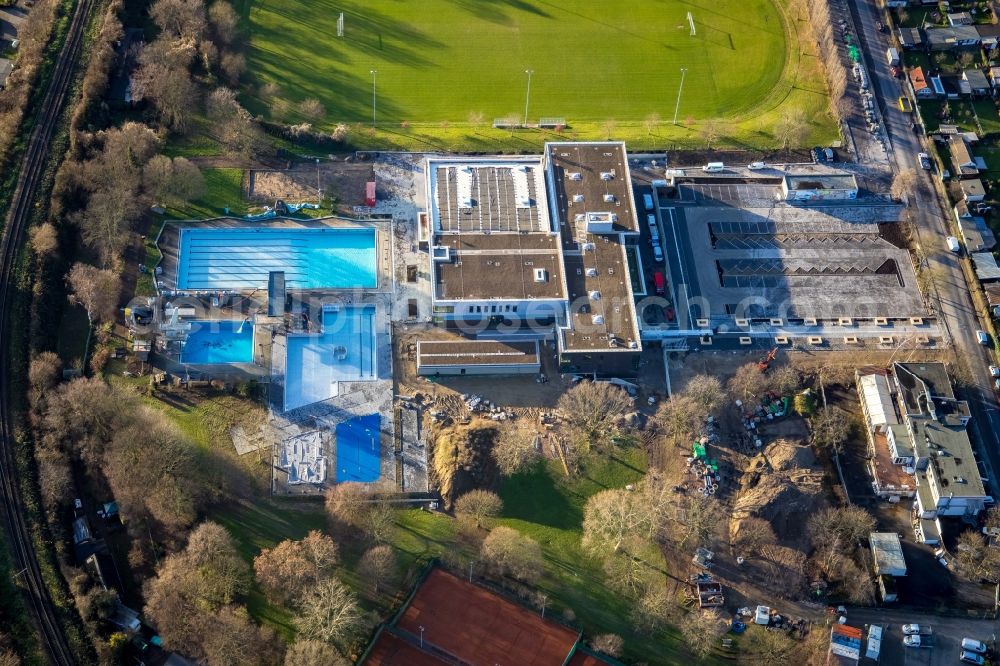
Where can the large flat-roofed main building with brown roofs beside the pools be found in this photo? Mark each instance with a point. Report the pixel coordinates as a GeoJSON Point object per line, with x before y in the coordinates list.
{"type": "Point", "coordinates": [539, 244]}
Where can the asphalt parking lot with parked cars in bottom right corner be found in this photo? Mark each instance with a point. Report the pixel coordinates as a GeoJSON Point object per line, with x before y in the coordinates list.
{"type": "Point", "coordinates": [947, 635]}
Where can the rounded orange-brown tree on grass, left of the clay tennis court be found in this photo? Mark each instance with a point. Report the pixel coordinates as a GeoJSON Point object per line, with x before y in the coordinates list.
{"type": "Point", "coordinates": [288, 570]}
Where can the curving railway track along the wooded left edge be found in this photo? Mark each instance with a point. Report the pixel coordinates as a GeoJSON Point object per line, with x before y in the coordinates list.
{"type": "Point", "coordinates": [18, 217]}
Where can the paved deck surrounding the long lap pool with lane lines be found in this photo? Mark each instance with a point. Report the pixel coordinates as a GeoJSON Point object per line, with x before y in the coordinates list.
{"type": "Point", "coordinates": [169, 244]}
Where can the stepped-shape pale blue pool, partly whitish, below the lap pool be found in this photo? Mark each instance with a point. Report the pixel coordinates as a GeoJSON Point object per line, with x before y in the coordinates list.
{"type": "Point", "coordinates": [343, 352]}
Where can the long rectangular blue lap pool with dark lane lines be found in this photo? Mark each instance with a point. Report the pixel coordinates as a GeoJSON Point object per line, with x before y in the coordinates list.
{"type": "Point", "coordinates": [240, 258]}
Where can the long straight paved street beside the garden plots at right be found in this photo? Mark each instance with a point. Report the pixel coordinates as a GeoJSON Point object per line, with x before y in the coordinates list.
{"type": "Point", "coordinates": [954, 303]}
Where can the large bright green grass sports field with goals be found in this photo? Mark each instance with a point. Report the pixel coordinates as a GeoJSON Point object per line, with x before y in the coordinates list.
{"type": "Point", "coordinates": [449, 64]}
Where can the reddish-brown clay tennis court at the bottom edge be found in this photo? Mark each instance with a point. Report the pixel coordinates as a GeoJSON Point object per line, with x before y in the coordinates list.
{"type": "Point", "coordinates": [472, 624]}
